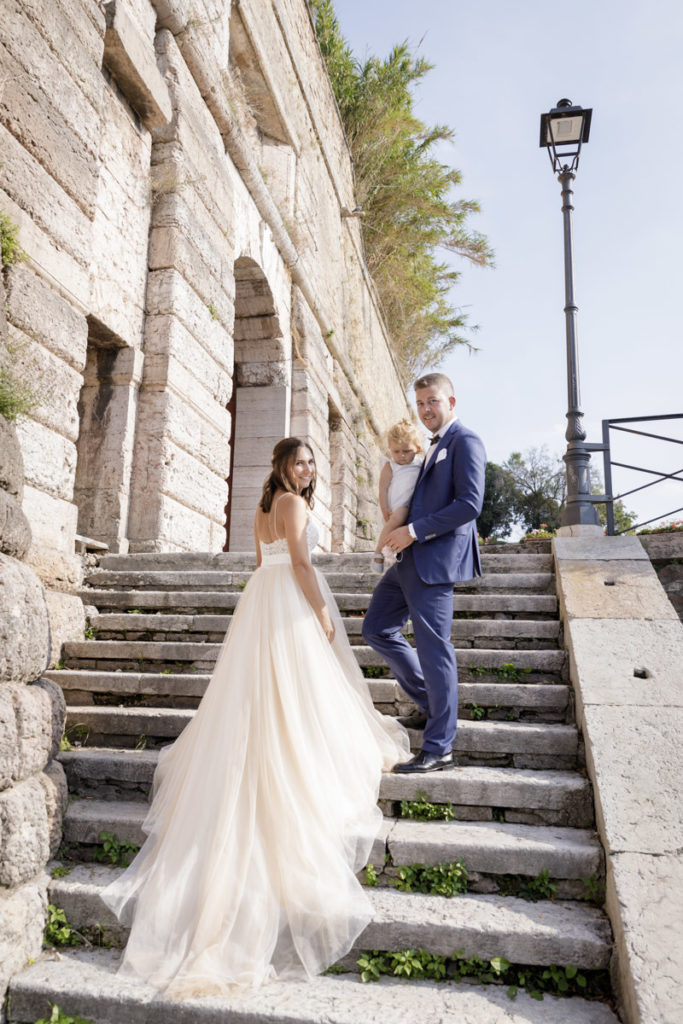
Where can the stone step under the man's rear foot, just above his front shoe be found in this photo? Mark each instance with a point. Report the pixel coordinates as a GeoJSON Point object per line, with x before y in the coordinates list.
{"type": "Point", "coordinates": [508, 744]}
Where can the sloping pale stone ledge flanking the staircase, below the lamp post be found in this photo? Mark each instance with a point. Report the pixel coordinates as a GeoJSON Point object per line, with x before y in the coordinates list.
{"type": "Point", "coordinates": [632, 729]}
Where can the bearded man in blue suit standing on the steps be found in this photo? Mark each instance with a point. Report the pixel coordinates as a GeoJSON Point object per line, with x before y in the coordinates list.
{"type": "Point", "coordinates": [440, 547]}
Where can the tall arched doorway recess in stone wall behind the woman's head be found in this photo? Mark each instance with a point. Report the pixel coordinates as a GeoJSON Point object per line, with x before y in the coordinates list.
{"type": "Point", "coordinates": [262, 400]}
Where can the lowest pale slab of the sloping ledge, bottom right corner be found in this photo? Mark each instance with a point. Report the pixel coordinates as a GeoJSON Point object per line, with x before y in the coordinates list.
{"type": "Point", "coordinates": [650, 933]}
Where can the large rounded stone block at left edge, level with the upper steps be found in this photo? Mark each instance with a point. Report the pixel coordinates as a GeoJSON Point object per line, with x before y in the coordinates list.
{"type": "Point", "coordinates": [24, 625]}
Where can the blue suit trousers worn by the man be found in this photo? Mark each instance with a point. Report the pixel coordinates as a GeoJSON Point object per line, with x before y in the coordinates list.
{"type": "Point", "coordinates": [429, 674]}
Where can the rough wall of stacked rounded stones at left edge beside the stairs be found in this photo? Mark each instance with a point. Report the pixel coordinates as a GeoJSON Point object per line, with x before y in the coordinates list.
{"type": "Point", "coordinates": [33, 787]}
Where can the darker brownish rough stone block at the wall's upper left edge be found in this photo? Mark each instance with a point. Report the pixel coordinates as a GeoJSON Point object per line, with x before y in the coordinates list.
{"type": "Point", "coordinates": [28, 114]}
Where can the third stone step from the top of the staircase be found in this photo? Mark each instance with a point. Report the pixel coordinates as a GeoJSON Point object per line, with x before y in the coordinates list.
{"type": "Point", "coordinates": [217, 602]}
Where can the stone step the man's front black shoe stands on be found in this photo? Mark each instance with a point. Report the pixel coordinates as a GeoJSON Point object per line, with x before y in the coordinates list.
{"type": "Point", "coordinates": [558, 798]}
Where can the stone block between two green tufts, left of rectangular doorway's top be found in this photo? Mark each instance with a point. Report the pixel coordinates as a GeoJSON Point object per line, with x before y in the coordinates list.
{"type": "Point", "coordinates": [42, 314]}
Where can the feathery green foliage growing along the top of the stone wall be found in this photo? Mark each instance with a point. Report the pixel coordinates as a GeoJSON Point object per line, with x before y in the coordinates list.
{"type": "Point", "coordinates": [410, 216]}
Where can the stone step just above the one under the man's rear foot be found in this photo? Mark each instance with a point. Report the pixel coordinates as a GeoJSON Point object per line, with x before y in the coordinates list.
{"type": "Point", "coordinates": [548, 698]}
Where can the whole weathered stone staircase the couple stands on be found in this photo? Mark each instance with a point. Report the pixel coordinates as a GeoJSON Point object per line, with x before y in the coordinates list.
{"type": "Point", "coordinates": [523, 812]}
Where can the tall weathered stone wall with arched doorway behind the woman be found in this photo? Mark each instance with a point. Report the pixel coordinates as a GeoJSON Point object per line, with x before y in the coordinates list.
{"type": "Point", "coordinates": [195, 290]}
